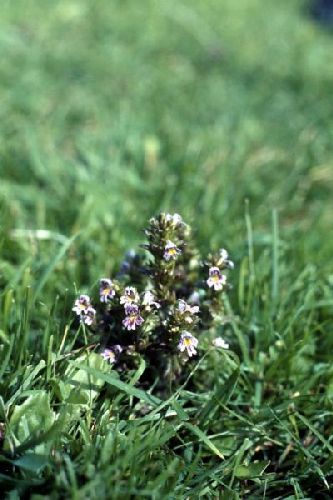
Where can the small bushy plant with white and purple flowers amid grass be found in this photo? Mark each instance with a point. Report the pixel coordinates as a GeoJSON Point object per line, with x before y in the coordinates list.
{"type": "Point", "coordinates": [165, 299]}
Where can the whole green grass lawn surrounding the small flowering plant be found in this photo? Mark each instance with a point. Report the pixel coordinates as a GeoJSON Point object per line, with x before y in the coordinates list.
{"type": "Point", "coordinates": [110, 112]}
